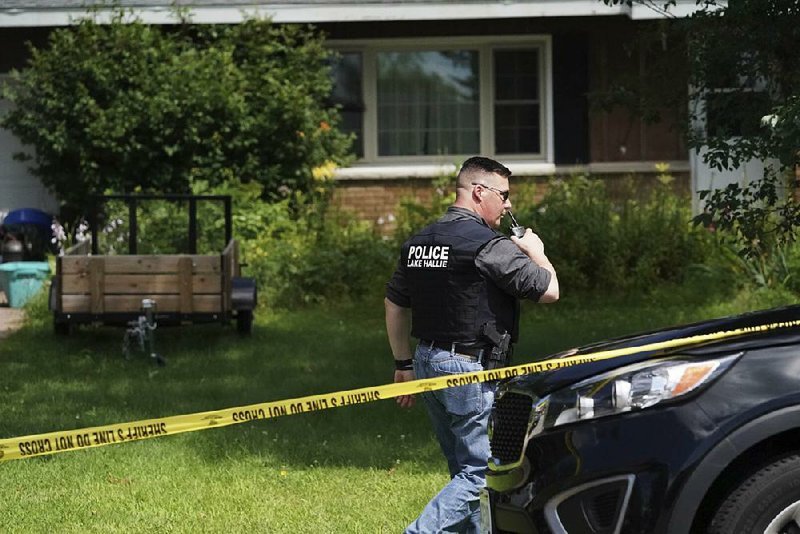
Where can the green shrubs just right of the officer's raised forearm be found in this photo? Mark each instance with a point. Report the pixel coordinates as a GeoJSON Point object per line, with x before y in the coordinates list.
{"type": "Point", "coordinates": [600, 242]}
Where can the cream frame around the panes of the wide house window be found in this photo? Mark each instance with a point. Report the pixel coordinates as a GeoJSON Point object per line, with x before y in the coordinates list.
{"type": "Point", "coordinates": [485, 47]}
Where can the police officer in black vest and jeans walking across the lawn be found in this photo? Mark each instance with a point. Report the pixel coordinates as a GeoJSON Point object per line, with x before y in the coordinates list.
{"type": "Point", "coordinates": [457, 279]}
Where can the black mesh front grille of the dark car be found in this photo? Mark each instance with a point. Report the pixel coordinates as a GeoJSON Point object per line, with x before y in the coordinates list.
{"type": "Point", "coordinates": [510, 418]}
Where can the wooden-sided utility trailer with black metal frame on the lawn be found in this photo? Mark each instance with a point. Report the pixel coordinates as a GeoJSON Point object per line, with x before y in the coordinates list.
{"type": "Point", "coordinates": [186, 288]}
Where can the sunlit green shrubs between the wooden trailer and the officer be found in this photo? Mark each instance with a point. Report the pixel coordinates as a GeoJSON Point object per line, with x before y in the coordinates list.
{"type": "Point", "coordinates": [302, 251]}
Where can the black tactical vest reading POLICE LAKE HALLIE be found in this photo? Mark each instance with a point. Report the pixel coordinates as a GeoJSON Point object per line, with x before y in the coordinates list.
{"type": "Point", "coordinates": [450, 299]}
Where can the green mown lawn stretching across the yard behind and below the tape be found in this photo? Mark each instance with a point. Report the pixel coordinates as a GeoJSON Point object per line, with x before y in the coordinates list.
{"type": "Point", "coordinates": [367, 468]}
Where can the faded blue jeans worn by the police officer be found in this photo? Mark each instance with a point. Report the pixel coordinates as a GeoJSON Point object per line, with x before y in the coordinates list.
{"type": "Point", "coordinates": [459, 416]}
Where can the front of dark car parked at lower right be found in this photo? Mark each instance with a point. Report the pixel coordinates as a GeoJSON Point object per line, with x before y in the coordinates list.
{"type": "Point", "coordinates": [699, 438]}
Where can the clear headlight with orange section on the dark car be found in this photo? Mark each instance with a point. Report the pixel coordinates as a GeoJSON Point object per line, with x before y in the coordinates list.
{"type": "Point", "coordinates": [629, 388]}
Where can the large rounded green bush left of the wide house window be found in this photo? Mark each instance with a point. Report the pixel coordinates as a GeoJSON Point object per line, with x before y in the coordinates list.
{"type": "Point", "coordinates": [121, 106]}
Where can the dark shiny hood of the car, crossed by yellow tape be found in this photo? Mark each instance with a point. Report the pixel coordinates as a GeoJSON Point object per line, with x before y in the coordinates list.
{"type": "Point", "coordinates": [543, 383]}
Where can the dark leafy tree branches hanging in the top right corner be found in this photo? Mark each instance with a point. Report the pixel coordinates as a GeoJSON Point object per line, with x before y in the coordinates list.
{"type": "Point", "coordinates": [740, 63]}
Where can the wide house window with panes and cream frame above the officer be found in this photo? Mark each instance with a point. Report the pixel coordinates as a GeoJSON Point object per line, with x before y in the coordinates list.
{"type": "Point", "coordinates": [442, 99]}
